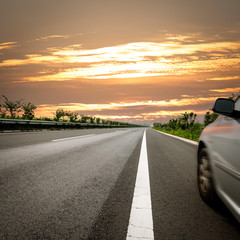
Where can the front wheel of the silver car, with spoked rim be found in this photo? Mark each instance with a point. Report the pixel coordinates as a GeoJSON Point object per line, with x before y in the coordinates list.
{"type": "Point", "coordinates": [205, 181]}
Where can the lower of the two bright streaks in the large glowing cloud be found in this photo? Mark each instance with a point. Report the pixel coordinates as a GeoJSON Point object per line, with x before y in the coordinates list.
{"type": "Point", "coordinates": [135, 70]}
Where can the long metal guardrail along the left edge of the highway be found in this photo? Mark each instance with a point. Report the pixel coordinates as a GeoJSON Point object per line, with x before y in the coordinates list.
{"type": "Point", "coordinates": [36, 123]}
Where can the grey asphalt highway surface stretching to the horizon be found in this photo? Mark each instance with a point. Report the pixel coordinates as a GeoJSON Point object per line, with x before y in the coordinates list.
{"type": "Point", "coordinates": [81, 184]}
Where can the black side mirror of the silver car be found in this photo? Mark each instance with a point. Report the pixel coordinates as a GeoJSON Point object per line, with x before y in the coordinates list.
{"type": "Point", "coordinates": [224, 106]}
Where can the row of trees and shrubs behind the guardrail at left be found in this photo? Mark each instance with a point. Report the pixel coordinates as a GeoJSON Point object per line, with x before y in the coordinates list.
{"type": "Point", "coordinates": [19, 109]}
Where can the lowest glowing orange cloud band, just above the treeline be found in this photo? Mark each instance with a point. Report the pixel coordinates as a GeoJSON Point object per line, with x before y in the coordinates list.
{"type": "Point", "coordinates": [49, 109]}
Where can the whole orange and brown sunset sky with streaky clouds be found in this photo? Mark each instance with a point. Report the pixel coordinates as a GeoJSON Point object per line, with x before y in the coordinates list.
{"type": "Point", "coordinates": [133, 61]}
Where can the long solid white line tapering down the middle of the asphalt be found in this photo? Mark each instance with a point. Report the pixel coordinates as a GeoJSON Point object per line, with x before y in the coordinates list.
{"type": "Point", "coordinates": [141, 221]}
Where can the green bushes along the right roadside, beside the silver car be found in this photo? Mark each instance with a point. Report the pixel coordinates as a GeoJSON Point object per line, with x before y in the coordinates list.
{"type": "Point", "coordinates": [186, 126]}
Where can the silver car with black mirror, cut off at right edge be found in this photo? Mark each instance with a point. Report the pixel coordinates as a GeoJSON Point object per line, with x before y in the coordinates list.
{"type": "Point", "coordinates": [219, 157]}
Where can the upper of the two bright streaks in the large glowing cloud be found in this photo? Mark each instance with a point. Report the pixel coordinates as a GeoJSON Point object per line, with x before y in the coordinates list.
{"type": "Point", "coordinates": [138, 50]}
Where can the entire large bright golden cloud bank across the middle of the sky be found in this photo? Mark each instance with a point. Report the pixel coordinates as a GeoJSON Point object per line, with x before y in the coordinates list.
{"type": "Point", "coordinates": [133, 60]}
